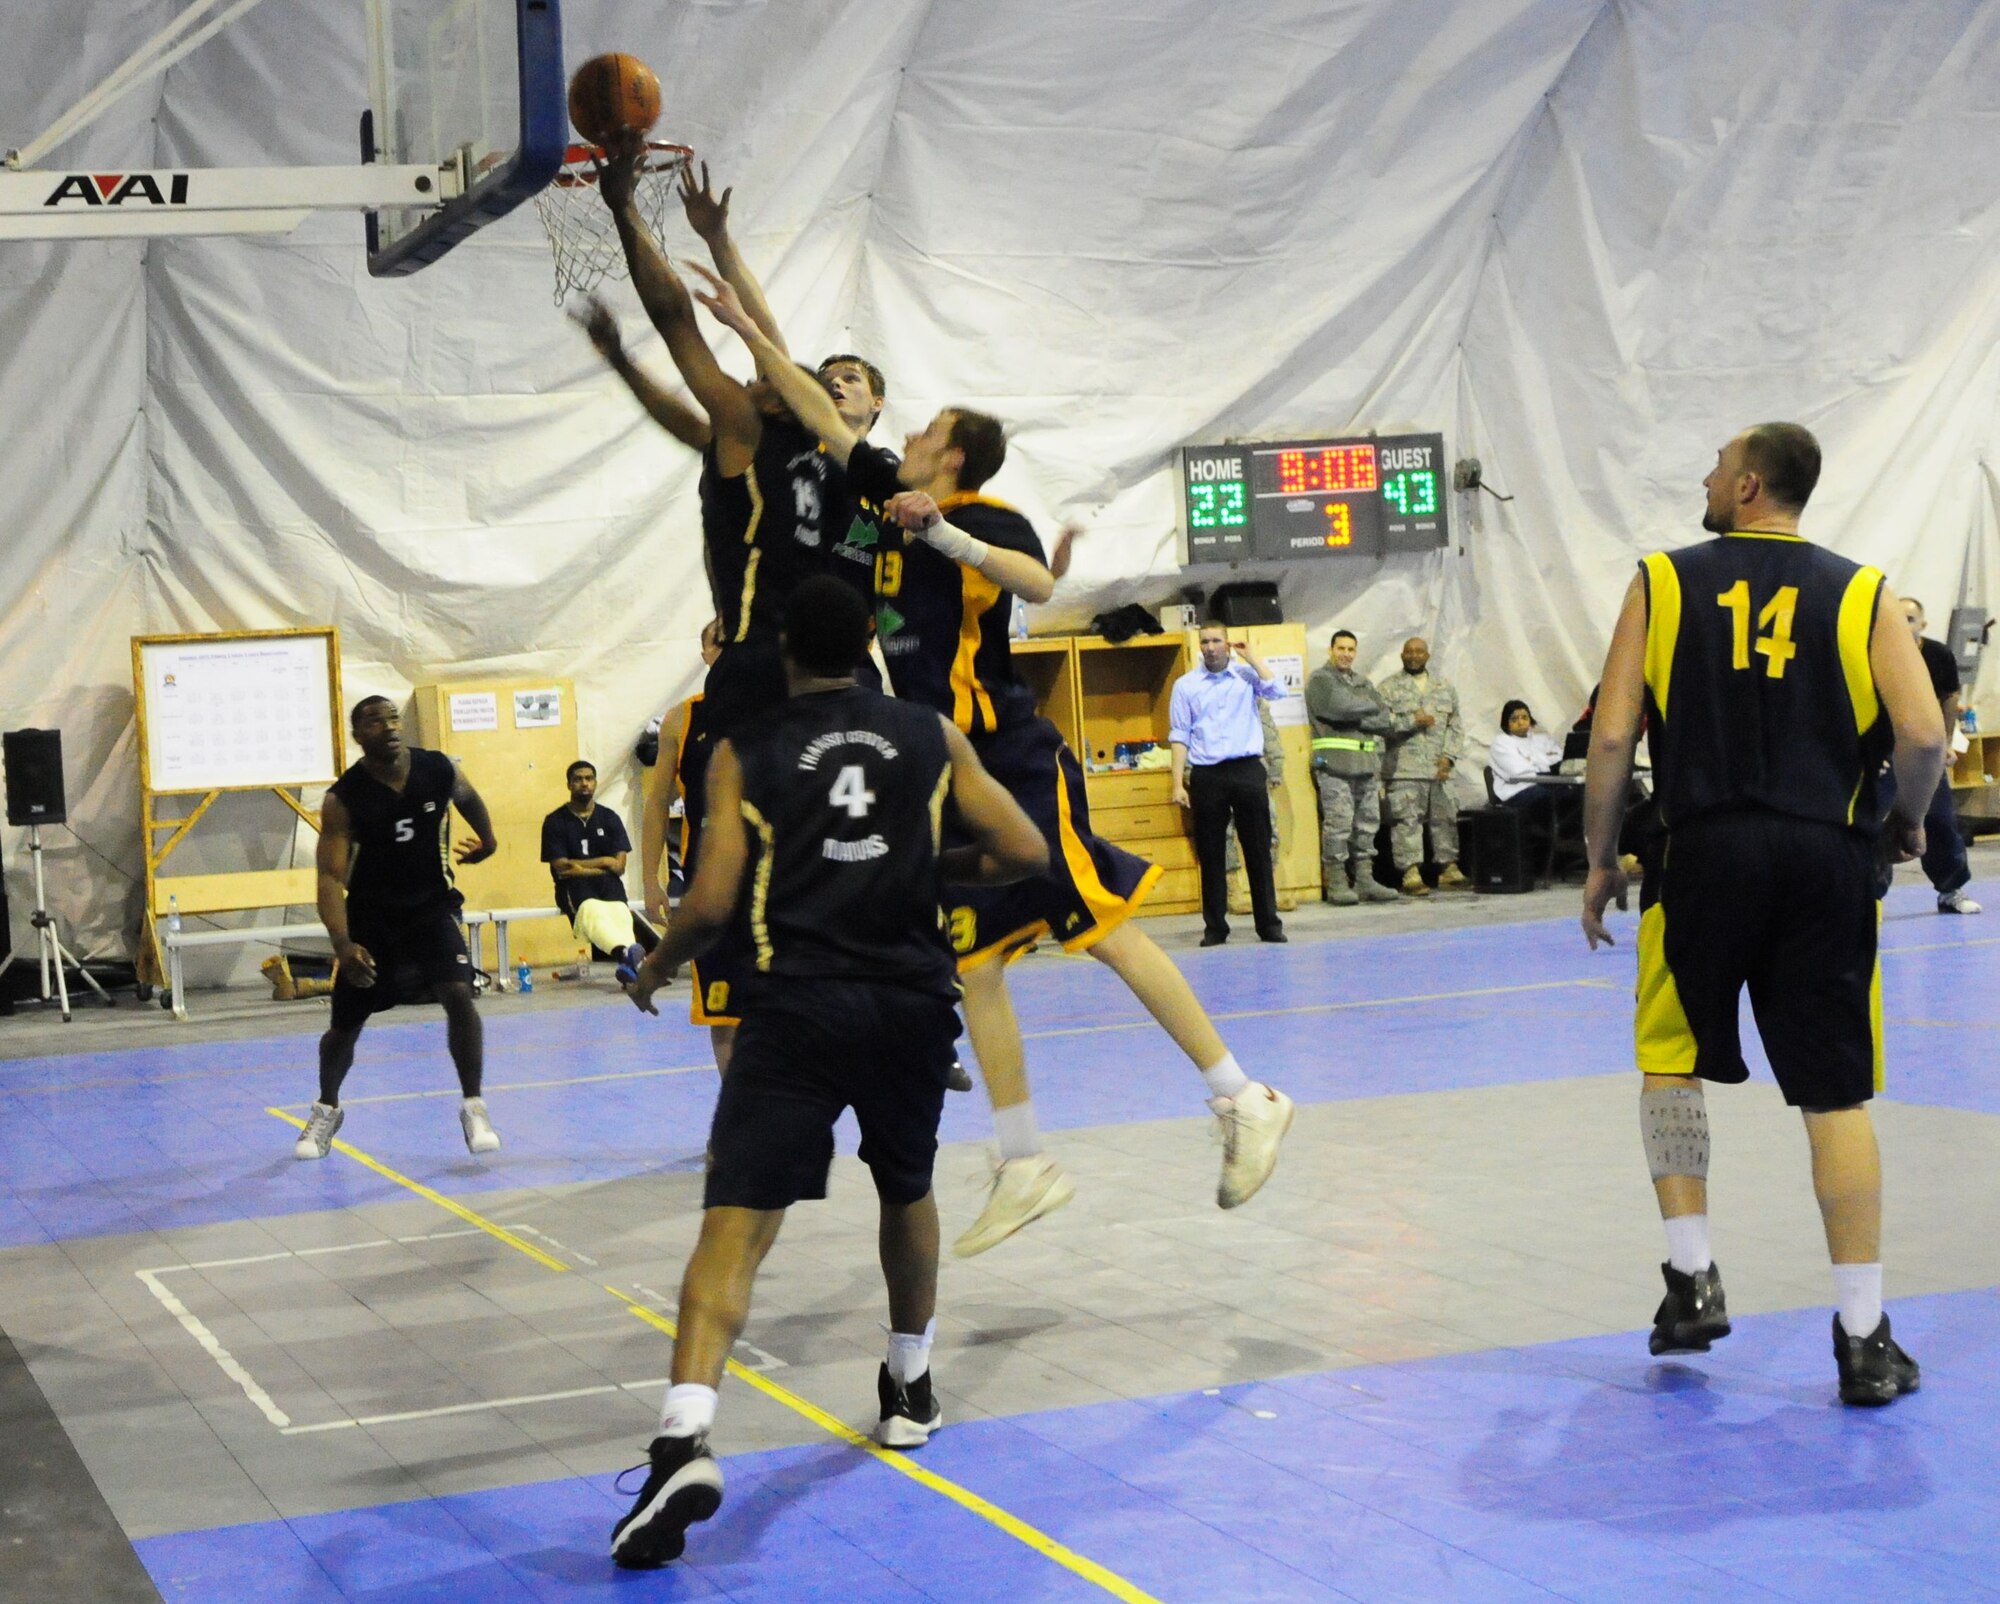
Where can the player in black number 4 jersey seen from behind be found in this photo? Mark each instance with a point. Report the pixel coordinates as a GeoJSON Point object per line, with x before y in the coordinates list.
{"type": "Point", "coordinates": [829, 819]}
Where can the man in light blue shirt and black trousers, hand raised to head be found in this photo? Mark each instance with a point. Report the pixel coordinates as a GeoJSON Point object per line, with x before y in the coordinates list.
{"type": "Point", "coordinates": [1219, 773]}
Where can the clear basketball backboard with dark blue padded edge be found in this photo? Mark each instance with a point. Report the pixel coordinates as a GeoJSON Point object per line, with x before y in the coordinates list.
{"type": "Point", "coordinates": [469, 83]}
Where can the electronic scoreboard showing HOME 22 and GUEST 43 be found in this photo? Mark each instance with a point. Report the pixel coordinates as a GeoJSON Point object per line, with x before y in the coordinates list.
{"type": "Point", "coordinates": [1289, 499]}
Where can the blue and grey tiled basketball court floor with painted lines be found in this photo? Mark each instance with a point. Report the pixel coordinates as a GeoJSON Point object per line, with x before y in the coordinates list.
{"type": "Point", "coordinates": [1423, 1347]}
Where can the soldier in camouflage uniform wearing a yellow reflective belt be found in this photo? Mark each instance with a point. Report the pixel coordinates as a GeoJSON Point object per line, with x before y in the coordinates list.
{"type": "Point", "coordinates": [1349, 727]}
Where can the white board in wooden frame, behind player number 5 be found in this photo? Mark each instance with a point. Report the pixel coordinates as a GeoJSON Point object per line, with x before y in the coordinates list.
{"type": "Point", "coordinates": [239, 711]}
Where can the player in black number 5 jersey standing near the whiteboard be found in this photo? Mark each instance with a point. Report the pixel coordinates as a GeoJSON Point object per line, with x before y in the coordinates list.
{"type": "Point", "coordinates": [391, 907]}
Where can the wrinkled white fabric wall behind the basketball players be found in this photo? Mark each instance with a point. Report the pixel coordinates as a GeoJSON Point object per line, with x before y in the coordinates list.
{"type": "Point", "coordinates": [1587, 241]}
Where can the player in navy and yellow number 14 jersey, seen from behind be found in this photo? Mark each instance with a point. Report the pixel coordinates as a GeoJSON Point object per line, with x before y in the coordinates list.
{"type": "Point", "coordinates": [1773, 679]}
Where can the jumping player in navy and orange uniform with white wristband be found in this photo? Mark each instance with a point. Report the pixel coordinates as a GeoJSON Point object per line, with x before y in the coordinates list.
{"type": "Point", "coordinates": [943, 611]}
